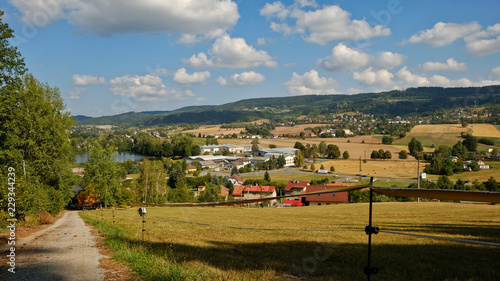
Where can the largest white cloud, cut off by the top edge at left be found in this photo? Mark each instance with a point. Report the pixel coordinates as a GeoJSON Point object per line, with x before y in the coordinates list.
{"type": "Point", "coordinates": [195, 20]}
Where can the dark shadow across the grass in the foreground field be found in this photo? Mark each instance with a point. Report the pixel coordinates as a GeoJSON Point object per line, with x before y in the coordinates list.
{"type": "Point", "coordinates": [329, 261]}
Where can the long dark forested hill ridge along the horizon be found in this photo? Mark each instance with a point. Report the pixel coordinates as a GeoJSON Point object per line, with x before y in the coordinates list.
{"type": "Point", "coordinates": [423, 100]}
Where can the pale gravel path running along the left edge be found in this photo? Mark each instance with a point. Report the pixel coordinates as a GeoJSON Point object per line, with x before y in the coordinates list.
{"type": "Point", "coordinates": [64, 251]}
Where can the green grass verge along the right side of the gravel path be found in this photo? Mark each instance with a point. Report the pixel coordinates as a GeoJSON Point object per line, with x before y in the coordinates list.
{"type": "Point", "coordinates": [147, 263]}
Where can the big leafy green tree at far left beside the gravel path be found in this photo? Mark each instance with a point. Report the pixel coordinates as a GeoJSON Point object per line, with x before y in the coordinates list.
{"type": "Point", "coordinates": [34, 140]}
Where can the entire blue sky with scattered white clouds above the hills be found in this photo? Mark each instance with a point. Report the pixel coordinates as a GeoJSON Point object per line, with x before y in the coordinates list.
{"type": "Point", "coordinates": [114, 56]}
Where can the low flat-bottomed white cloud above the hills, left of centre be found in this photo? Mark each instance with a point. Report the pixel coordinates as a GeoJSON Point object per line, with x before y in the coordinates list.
{"type": "Point", "coordinates": [145, 88]}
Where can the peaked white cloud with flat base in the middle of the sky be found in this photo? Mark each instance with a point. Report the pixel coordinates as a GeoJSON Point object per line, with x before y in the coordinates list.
{"type": "Point", "coordinates": [231, 53]}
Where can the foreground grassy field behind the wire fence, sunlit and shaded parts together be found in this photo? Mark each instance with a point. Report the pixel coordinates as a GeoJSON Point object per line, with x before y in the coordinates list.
{"type": "Point", "coordinates": [183, 251]}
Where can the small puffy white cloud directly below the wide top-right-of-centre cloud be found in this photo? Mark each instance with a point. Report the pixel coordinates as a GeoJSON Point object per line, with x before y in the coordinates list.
{"type": "Point", "coordinates": [343, 58]}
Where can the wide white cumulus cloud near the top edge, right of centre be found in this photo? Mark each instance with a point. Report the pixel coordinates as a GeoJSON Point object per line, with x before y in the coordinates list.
{"type": "Point", "coordinates": [320, 26]}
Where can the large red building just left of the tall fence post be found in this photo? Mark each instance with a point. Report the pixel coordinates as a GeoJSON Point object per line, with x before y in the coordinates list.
{"type": "Point", "coordinates": [325, 198]}
